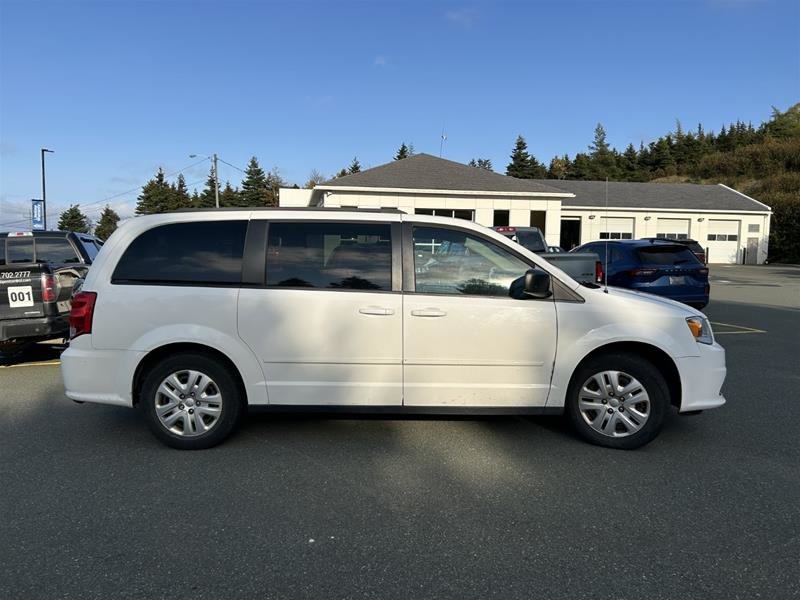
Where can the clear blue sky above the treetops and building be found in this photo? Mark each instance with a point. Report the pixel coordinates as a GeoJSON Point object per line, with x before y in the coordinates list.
{"type": "Point", "coordinates": [118, 88]}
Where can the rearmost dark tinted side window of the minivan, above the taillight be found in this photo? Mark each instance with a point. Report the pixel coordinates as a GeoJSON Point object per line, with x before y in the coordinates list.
{"type": "Point", "coordinates": [200, 252]}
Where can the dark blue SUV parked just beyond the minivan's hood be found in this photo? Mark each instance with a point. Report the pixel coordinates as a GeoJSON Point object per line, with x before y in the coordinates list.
{"type": "Point", "coordinates": [656, 266]}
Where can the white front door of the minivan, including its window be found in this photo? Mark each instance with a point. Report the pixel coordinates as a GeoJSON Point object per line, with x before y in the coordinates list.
{"type": "Point", "coordinates": [471, 339]}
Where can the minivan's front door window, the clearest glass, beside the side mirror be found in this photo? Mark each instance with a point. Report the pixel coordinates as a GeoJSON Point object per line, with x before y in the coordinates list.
{"type": "Point", "coordinates": [449, 261]}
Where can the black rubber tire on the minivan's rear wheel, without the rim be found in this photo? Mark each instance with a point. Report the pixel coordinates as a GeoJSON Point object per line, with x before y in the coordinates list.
{"type": "Point", "coordinates": [231, 403]}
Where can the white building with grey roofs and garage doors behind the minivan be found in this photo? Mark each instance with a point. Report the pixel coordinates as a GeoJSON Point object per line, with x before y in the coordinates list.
{"type": "Point", "coordinates": [733, 227]}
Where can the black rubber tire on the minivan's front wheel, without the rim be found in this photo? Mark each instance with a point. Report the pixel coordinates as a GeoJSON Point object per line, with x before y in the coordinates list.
{"type": "Point", "coordinates": [639, 368]}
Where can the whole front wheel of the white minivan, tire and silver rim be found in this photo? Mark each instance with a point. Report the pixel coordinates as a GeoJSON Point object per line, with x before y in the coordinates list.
{"type": "Point", "coordinates": [618, 401]}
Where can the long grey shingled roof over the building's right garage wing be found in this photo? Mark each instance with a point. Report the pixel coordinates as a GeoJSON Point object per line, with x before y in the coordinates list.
{"type": "Point", "coordinates": [688, 196]}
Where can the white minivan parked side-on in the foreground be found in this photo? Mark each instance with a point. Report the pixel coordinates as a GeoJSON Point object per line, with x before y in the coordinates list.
{"type": "Point", "coordinates": [197, 316]}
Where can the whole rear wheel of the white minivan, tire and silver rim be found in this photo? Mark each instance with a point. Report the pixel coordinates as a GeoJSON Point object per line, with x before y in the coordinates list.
{"type": "Point", "coordinates": [190, 401]}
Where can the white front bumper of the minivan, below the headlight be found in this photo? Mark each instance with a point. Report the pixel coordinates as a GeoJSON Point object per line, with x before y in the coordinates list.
{"type": "Point", "coordinates": [702, 378]}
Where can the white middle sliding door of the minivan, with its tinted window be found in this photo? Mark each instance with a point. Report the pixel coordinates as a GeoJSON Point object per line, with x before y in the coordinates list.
{"type": "Point", "coordinates": [327, 326]}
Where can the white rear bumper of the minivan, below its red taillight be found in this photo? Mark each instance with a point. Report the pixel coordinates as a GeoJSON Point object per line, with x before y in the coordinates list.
{"type": "Point", "coordinates": [102, 376]}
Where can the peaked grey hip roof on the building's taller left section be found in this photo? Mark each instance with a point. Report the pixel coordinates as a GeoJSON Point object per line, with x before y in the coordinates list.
{"type": "Point", "coordinates": [426, 172]}
